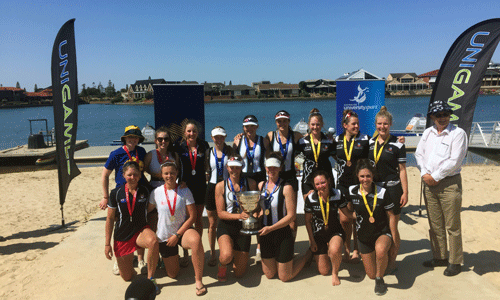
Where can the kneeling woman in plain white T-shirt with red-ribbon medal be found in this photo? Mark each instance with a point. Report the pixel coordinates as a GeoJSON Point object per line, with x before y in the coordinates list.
{"type": "Point", "coordinates": [176, 216]}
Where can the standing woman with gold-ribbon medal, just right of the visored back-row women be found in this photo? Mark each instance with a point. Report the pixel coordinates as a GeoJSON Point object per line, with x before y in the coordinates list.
{"type": "Point", "coordinates": [317, 149]}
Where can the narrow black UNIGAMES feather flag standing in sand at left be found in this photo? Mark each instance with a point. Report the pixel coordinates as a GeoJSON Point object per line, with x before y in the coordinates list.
{"type": "Point", "coordinates": [65, 102]}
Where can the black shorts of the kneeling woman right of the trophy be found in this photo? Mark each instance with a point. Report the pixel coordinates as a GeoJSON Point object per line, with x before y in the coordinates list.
{"type": "Point", "coordinates": [278, 244]}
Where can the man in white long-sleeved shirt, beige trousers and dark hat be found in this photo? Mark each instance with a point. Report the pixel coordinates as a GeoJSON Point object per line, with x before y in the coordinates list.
{"type": "Point", "coordinates": [440, 154]}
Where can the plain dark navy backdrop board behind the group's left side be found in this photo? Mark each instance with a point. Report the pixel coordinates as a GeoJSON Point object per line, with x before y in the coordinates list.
{"type": "Point", "coordinates": [176, 102]}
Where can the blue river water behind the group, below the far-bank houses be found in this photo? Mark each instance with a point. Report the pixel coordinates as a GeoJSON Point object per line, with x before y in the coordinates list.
{"type": "Point", "coordinates": [100, 123]}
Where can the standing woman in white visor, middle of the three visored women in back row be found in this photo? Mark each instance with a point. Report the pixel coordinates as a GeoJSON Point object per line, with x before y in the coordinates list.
{"type": "Point", "coordinates": [252, 148]}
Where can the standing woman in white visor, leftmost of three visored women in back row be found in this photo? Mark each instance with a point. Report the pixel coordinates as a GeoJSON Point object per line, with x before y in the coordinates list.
{"type": "Point", "coordinates": [215, 161]}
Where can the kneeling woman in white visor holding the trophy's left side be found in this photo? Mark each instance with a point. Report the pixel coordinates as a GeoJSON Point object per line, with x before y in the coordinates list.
{"type": "Point", "coordinates": [233, 245]}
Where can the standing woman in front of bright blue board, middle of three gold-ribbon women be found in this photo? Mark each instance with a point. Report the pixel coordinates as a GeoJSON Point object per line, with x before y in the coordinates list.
{"type": "Point", "coordinates": [351, 146]}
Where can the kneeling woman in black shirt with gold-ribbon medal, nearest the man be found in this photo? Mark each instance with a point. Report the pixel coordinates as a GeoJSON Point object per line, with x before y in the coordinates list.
{"type": "Point", "coordinates": [376, 223]}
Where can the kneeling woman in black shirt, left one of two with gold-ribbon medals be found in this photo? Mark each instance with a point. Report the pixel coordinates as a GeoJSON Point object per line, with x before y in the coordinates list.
{"type": "Point", "coordinates": [326, 235]}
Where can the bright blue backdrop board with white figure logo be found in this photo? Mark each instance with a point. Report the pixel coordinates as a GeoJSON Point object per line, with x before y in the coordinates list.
{"type": "Point", "coordinates": [365, 97]}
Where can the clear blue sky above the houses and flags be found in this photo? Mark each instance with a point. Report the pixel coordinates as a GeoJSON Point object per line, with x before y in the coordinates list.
{"type": "Point", "coordinates": [238, 41]}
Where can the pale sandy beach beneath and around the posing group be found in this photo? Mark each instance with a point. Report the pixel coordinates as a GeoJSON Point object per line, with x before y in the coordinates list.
{"type": "Point", "coordinates": [70, 264]}
